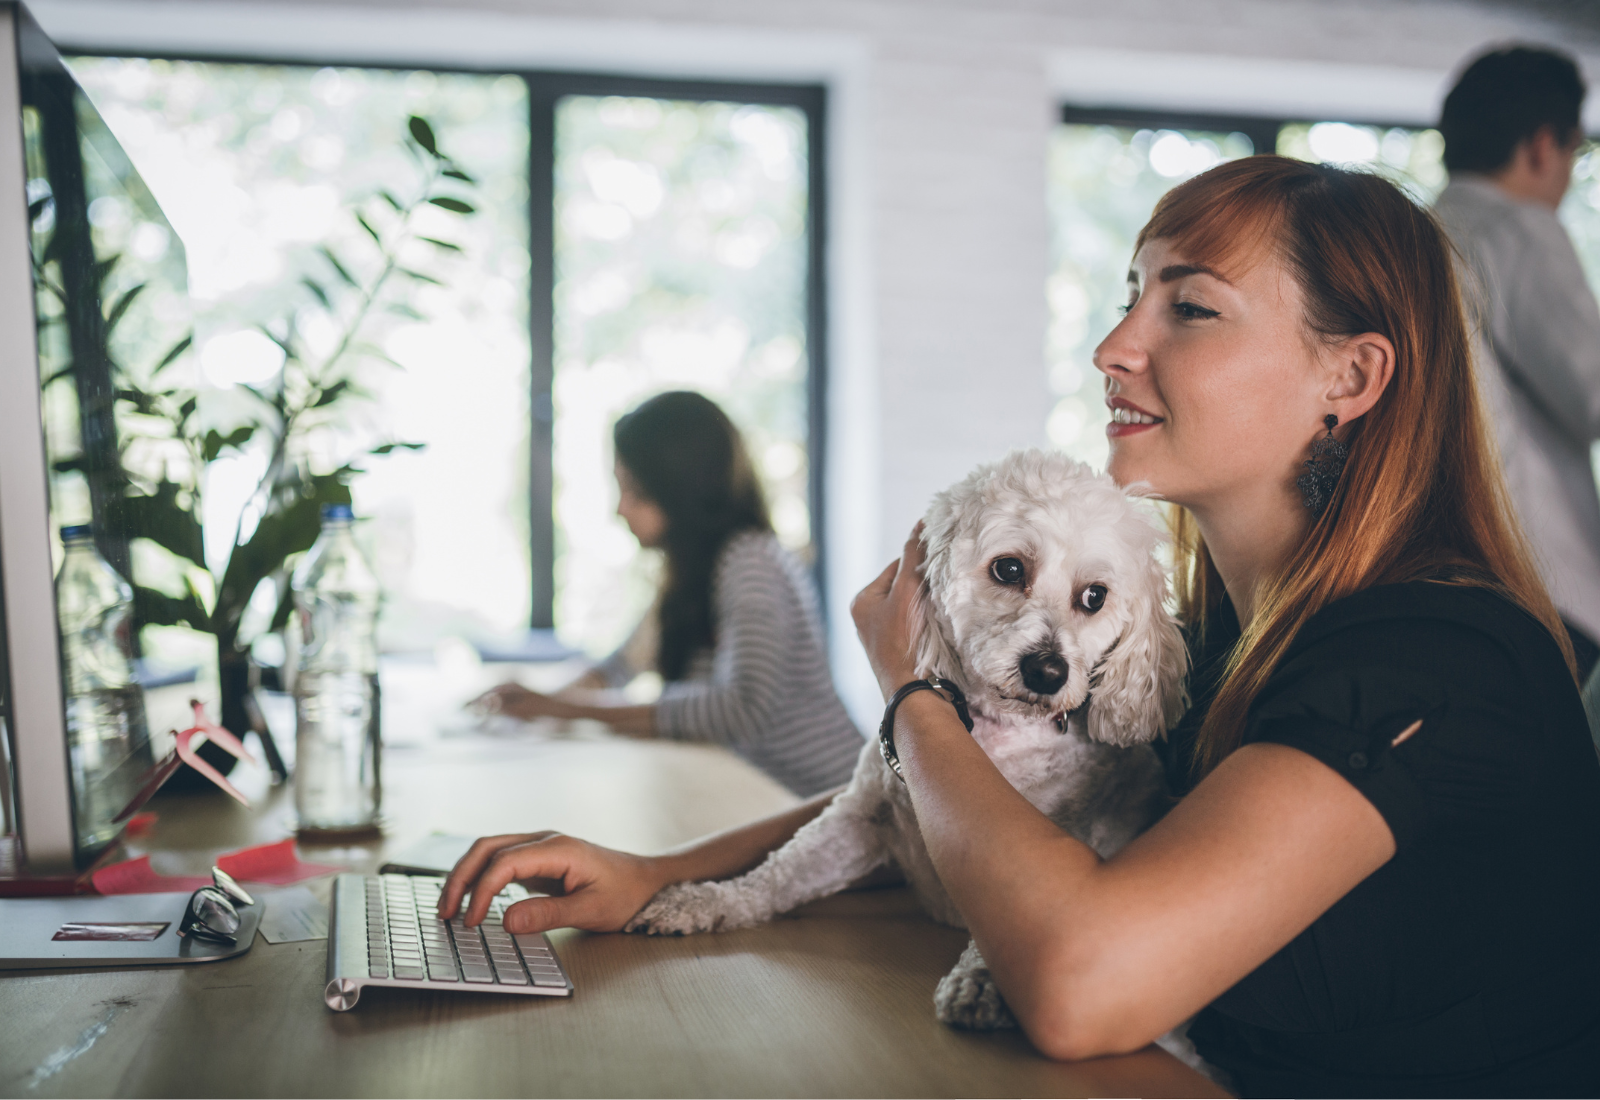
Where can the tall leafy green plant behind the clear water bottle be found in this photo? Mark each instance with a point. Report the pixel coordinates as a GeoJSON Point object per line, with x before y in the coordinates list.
{"type": "Point", "coordinates": [295, 421]}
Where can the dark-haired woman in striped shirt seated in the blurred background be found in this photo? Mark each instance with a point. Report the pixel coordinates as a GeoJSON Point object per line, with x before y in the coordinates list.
{"type": "Point", "coordinates": [735, 632]}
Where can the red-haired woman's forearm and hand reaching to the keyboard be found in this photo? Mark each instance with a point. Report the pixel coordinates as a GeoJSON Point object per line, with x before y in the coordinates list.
{"type": "Point", "coordinates": [598, 888]}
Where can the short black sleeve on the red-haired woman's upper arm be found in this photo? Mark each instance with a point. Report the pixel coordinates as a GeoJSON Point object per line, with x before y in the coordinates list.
{"type": "Point", "coordinates": [1351, 695]}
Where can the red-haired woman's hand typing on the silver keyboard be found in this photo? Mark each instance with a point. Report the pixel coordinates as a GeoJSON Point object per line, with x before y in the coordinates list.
{"type": "Point", "coordinates": [594, 888]}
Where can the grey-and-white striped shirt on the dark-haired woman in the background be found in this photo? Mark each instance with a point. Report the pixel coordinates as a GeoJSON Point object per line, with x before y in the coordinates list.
{"type": "Point", "coordinates": [766, 690]}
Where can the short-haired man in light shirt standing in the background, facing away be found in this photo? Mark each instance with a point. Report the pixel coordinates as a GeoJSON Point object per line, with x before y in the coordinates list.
{"type": "Point", "coordinates": [1511, 130]}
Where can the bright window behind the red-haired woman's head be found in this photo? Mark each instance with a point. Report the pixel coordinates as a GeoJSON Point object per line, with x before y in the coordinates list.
{"type": "Point", "coordinates": [1108, 169]}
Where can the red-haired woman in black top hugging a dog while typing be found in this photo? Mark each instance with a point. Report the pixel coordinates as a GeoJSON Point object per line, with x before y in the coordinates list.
{"type": "Point", "coordinates": [1382, 872]}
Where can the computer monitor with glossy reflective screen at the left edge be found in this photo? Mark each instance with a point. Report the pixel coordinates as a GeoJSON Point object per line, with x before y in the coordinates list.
{"type": "Point", "coordinates": [92, 295]}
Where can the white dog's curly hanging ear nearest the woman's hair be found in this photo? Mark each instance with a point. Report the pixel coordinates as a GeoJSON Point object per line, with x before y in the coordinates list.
{"type": "Point", "coordinates": [1138, 688]}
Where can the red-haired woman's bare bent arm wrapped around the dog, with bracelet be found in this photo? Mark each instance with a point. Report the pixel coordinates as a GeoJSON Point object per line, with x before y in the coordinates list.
{"type": "Point", "coordinates": [1100, 957]}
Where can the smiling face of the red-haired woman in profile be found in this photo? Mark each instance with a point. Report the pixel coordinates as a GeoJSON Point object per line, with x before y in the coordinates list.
{"type": "Point", "coordinates": [1215, 385]}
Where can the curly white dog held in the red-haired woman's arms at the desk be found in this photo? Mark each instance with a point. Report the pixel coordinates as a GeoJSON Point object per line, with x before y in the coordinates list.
{"type": "Point", "coordinates": [1046, 607]}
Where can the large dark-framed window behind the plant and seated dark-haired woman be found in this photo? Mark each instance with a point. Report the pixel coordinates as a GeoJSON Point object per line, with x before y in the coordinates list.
{"type": "Point", "coordinates": [625, 237]}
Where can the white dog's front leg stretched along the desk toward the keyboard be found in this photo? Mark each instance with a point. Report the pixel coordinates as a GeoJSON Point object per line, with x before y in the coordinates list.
{"type": "Point", "coordinates": [841, 847]}
